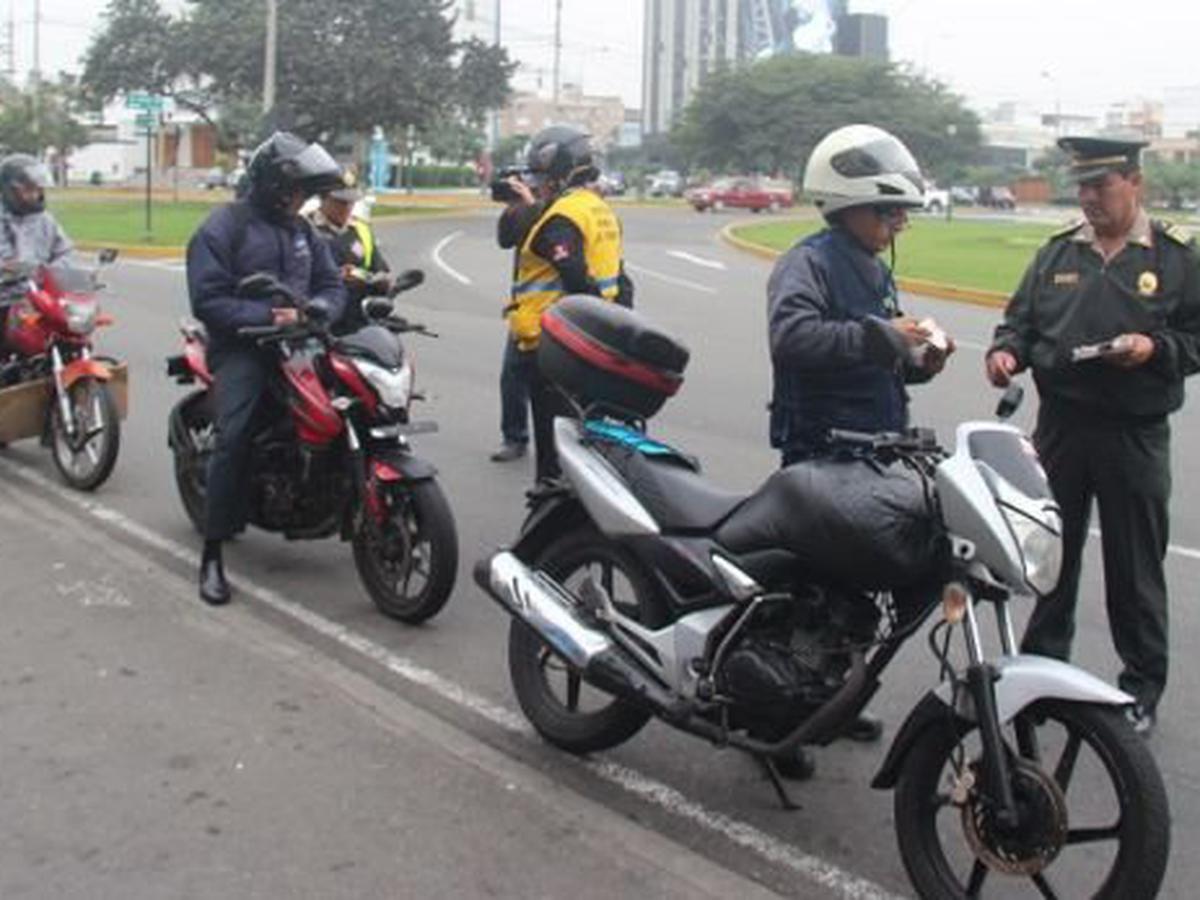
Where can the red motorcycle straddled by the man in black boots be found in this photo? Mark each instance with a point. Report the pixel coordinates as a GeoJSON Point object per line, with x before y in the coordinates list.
{"type": "Point", "coordinates": [332, 453]}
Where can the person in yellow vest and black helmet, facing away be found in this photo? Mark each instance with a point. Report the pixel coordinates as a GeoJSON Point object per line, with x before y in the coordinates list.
{"type": "Point", "coordinates": [574, 248]}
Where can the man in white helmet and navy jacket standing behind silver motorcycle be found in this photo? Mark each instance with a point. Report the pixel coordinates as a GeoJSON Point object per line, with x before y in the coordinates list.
{"type": "Point", "coordinates": [827, 370]}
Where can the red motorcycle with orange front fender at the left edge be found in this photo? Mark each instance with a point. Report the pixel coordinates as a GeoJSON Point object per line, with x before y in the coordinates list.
{"type": "Point", "coordinates": [53, 387]}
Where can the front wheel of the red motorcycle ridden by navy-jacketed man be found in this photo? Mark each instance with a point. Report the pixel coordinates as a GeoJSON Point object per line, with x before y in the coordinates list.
{"type": "Point", "coordinates": [418, 538]}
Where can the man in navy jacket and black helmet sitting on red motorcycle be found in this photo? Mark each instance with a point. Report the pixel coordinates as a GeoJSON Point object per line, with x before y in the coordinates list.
{"type": "Point", "coordinates": [260, 233]}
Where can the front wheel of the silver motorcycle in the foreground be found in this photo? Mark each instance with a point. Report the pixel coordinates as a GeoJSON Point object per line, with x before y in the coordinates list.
{"type": "Point", "coordinates": [1045, 851]}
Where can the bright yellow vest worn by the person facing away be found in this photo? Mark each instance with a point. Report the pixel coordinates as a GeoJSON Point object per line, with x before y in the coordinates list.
{"type": "Point", "coordinates": [538, 284]}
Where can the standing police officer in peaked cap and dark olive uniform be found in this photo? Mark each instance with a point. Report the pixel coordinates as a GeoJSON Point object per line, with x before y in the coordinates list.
{"type": "Point", "coordinates": [1108, 320]}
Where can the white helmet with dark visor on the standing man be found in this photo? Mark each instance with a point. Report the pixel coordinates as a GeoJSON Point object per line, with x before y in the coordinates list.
{"type": "Point", "coordinates": [862, 166]}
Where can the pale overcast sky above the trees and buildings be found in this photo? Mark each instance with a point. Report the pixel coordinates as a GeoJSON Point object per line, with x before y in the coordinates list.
{"type": "Point", "coordinates": [1081, 55]}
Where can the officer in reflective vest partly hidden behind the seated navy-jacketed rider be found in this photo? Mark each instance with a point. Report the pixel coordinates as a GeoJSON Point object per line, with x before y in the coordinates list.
{"type": "Point", "coordinates": [356, 250]}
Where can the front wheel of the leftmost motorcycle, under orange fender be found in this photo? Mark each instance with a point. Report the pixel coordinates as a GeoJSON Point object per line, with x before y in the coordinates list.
{"type": "Point", "coordinates": [86, 465]}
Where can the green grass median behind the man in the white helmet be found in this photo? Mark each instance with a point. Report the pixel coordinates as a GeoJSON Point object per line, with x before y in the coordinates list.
{"type": "Point", "coordinates": [970, 254]}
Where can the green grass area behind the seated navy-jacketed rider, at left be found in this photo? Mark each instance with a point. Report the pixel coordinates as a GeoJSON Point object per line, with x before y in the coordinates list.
{"type": "Point", "coordinates": [123, 221]}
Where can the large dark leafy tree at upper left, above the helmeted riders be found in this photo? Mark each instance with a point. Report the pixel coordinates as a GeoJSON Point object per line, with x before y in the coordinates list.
{"type": "Point", "coordinates": [341, 68]}
